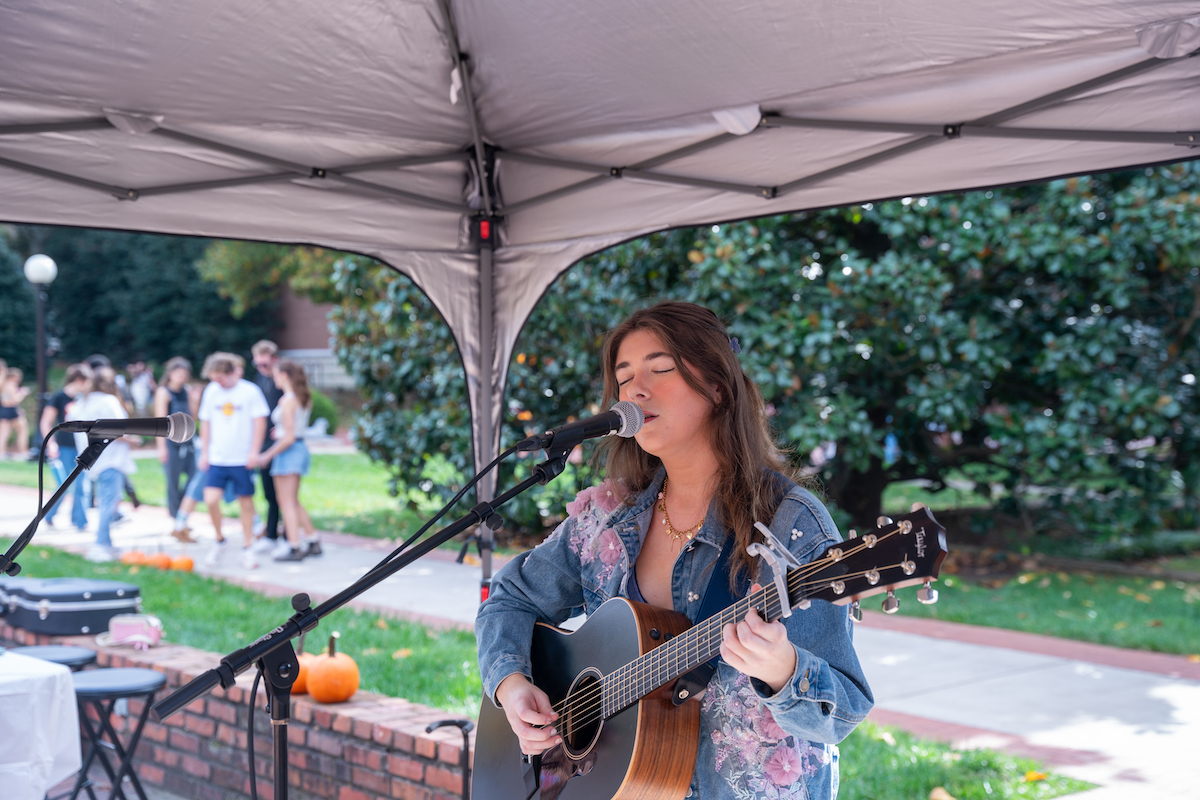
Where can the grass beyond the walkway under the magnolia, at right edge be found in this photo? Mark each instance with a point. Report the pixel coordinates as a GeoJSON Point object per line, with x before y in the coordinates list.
{"type": "Point", "coordinates": [1125, 612]}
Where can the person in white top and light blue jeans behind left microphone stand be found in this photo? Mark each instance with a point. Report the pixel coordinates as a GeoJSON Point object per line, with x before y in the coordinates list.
{"type": "Point", "coordinates": [104, 402]}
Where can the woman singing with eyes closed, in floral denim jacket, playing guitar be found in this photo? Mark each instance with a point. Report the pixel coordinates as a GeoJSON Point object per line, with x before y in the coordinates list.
{"type": "Point", "coordinates": [703, 470]}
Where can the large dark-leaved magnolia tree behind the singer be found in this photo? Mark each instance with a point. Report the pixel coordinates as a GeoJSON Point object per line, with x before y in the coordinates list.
{"type": "Point", "coordinates": [1041, 341]}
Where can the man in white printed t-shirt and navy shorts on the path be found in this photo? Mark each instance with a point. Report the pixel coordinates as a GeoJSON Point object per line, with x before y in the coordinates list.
{"type": "Point", "coordinates": [233, 423]}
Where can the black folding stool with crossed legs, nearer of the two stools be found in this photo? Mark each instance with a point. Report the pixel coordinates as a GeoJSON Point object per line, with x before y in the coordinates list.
{"type": "Point", "coordinates": [103, 689]}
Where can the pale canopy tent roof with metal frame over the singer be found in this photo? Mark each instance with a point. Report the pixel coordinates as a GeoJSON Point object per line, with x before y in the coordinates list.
{"type": "Point", "coordinates": [397, 128]}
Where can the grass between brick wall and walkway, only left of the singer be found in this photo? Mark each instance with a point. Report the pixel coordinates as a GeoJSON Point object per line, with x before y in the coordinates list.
{"type": "Point", "coordinates": [395, 658]}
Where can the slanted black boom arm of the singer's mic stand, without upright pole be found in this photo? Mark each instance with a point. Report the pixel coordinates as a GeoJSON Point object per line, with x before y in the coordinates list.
{"type": "Point", "coordinates": [238, 661]}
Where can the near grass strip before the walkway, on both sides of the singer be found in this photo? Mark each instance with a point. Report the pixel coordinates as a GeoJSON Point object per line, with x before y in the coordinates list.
{"type": "Point", "coordinates": [439, 669]}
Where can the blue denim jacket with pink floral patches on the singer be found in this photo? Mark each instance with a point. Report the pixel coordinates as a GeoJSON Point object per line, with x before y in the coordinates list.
{"type": "Point", "coordinates": [753, 747]}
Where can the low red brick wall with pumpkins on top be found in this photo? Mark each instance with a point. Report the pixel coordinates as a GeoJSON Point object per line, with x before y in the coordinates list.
{"type": "Point", "coordinates": [373, 748]}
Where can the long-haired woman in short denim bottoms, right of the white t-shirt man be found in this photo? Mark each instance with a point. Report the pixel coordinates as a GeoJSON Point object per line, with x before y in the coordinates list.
{"type": "Point", "coordinates": [289, 458]}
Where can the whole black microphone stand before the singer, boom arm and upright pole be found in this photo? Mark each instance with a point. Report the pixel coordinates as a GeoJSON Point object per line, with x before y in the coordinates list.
{"type": "Point", "coordinates": [274, 654]}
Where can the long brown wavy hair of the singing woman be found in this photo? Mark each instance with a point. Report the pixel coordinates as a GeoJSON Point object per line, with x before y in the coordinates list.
{"type": "Point", "coordinates": [748, 486]}
